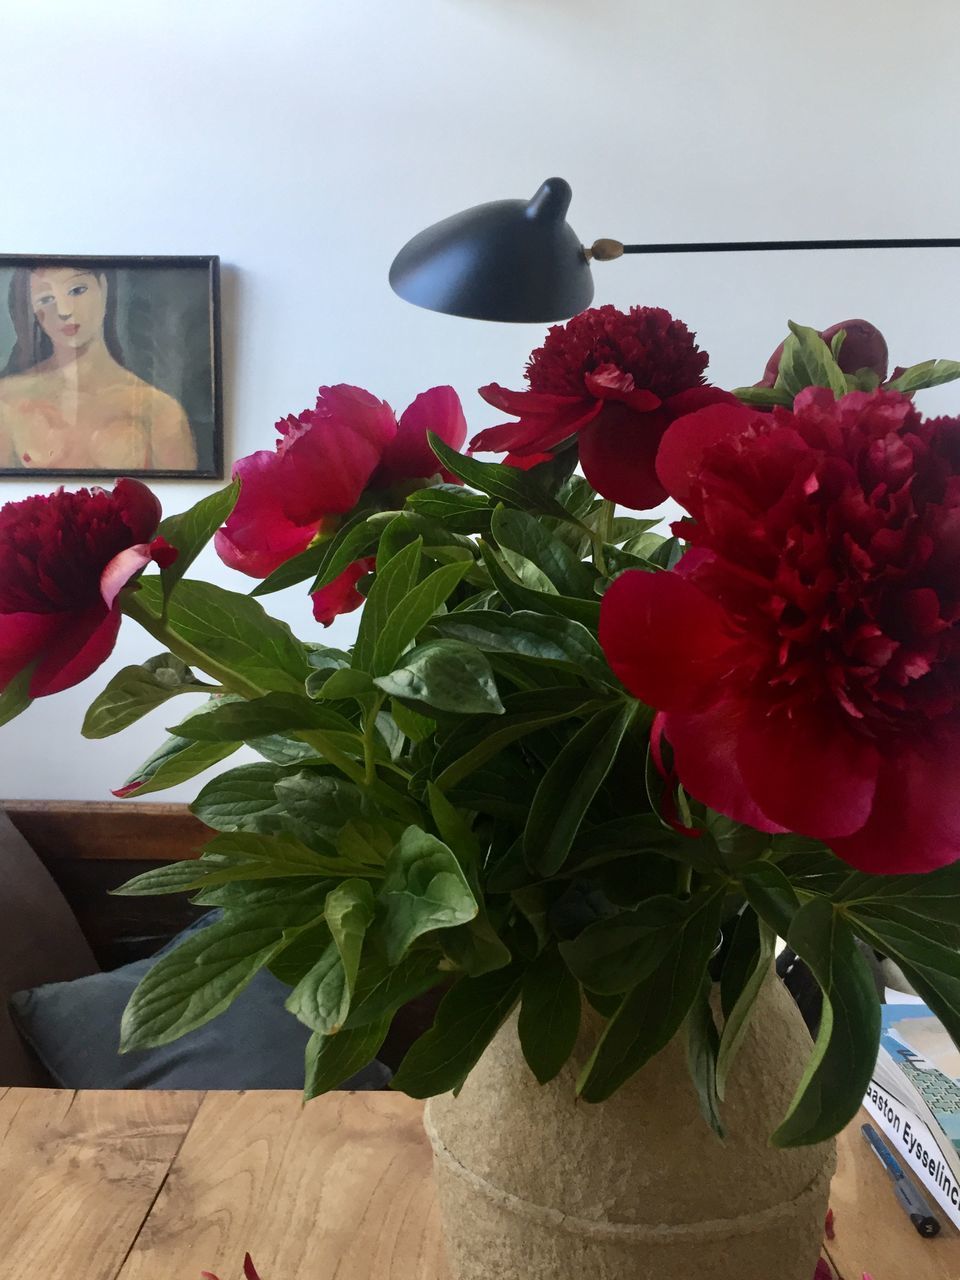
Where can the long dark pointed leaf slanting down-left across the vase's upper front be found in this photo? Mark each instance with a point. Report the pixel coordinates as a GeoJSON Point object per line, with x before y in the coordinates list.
{"type": "Point", "coordinates": [651, 1014]}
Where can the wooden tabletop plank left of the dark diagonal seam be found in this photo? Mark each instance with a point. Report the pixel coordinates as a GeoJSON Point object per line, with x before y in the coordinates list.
{"type": "Point", "coordinates": [79, 1176]}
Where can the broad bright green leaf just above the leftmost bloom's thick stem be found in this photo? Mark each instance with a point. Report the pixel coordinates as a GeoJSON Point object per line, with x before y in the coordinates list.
{"type": "Point", "coordinates": [235, 632]}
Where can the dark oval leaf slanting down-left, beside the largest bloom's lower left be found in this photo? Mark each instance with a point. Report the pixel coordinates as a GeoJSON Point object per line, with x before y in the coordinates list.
{"type": "Point", "coordinates": [570, 785]}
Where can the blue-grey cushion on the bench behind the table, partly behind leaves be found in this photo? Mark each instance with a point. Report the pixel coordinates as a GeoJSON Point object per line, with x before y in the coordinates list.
{"type": "Point", "coordinates": [75, 1028]}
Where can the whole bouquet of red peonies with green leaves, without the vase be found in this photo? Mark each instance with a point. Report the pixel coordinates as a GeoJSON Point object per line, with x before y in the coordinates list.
{"type": "Point", "coordinates": [569, 757]}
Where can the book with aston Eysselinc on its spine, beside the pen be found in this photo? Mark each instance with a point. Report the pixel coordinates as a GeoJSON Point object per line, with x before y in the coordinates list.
{"type": "Point", "coordinates": [915, 1098]}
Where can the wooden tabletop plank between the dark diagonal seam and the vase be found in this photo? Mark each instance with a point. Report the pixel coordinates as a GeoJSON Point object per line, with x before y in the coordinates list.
{"type": "Point", "coordinates": [341, 1188]}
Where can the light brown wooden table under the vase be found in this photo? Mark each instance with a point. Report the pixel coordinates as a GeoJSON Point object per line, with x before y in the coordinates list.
{"type": "Point", "coordinates": [164, 1186]}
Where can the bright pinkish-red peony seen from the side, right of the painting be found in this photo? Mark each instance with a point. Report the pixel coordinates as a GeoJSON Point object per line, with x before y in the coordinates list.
{"type": "Point", "coordinates": [322, 465]}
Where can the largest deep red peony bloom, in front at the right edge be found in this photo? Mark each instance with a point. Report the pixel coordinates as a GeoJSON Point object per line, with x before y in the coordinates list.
{"type": "Point", "coordinates": [806, 653]}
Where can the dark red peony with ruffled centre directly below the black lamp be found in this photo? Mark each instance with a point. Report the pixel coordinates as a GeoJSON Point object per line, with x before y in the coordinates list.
{"type": "Point", "coordinates": [615, 382]}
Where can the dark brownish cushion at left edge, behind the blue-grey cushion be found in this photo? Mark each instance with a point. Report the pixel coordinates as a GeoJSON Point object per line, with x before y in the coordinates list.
{"type": "Point", "coordinates": [40, 941]}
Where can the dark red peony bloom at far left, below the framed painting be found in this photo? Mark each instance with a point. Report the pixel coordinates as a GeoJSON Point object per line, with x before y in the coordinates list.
{"type": "Point", "coordinates": [63, 563]}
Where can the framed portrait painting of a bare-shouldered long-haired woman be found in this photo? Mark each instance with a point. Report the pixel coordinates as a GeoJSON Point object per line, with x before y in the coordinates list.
{"type": "Point", "coordinates": [111, 367]}
